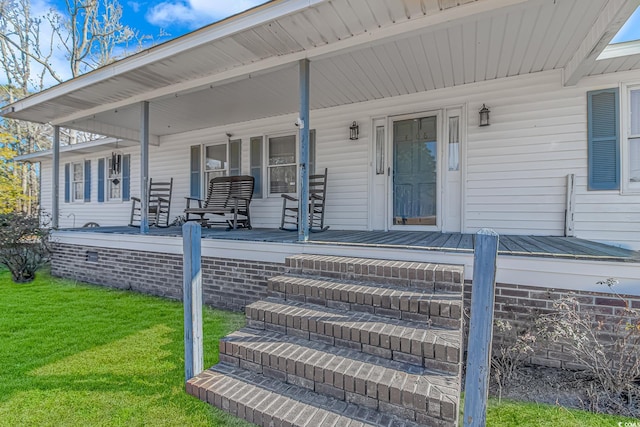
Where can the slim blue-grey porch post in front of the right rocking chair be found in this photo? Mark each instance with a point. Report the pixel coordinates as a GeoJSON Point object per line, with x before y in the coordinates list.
{"type": "Point", "coordinates": [303, 200]}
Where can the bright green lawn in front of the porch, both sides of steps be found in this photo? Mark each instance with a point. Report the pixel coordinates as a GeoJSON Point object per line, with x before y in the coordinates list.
{"type": "Point", "coordinates": [80, 355]}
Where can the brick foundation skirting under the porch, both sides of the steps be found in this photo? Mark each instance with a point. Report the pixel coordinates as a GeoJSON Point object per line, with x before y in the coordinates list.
{"type": "Point", "coordinates": [233, 283]}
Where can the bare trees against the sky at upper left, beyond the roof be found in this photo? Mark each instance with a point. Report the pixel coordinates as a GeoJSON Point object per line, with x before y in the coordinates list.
{"type": "Point", "coordinates": [88, 33]}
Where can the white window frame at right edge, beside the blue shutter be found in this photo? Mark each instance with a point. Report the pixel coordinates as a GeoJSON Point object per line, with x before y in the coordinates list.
{"type": "Point", "coordinates": [627, 187]}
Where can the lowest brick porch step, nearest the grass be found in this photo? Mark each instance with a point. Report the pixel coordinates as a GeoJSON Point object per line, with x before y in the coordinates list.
{"type": "Point", "coordinates": [268, 402]}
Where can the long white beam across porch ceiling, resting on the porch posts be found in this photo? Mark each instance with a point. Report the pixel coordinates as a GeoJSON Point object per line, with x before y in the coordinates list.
{"type": "Point", "coordinates": [278, 62]}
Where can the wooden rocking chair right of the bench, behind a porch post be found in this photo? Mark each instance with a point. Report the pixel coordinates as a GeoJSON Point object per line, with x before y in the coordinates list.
{"type": "Point", "coordinates": [317, 198]}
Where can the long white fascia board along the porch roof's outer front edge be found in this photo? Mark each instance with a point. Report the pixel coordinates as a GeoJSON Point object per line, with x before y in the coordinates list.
{"type": "Point", "coordinates": [243, 21]}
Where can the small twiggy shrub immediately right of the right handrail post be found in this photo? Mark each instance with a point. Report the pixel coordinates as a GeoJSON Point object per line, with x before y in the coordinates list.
{"type": "Point", "coordinates": [508, 356]}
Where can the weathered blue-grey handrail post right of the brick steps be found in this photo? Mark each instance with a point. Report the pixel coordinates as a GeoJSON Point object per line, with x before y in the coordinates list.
{"type": "Point", "coordinates": [476, 390]}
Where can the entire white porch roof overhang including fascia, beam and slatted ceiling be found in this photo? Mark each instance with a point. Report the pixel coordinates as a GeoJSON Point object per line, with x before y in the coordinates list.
{"type": "Point", "coordinates": [245, 67]}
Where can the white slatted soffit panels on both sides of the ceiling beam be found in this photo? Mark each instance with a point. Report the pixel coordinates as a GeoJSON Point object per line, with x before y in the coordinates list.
{"type": "Point", "coordinates": [527, 37]}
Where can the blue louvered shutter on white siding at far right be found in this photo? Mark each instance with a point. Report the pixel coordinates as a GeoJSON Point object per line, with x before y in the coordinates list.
{"type": "Point", "coordinates": [604, 139]}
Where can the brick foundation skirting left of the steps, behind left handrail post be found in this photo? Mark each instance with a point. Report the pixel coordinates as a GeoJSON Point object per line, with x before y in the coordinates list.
{"type": "Point", "coordinates": [226, 283]}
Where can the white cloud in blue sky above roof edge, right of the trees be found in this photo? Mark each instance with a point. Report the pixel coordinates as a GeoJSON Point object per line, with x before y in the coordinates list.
{"type": "Point", "coordinates": [196, 13]}
